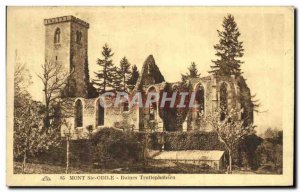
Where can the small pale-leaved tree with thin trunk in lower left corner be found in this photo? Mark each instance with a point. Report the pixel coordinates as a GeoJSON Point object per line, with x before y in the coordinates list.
{"type": "Point", "coordinates": [29, 138]}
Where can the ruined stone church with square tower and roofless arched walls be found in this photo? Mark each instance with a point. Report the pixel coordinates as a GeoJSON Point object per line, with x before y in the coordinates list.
{"type": "Point", "coordinates": [66, 42]}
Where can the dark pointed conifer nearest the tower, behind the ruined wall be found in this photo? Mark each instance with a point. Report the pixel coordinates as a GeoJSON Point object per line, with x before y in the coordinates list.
{"type": "Point", "coordinates": [104, 76]}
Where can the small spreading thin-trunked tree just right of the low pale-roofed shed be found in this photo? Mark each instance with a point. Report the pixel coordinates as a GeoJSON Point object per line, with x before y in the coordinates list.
{"type": "Point", "coordinates": [230, 130]}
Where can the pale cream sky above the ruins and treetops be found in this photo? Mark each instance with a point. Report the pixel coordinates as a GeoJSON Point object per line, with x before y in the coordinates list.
{"type": "Point", "coordinates": [174, 36]}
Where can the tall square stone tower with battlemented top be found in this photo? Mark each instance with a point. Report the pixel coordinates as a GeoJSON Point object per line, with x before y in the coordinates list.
{"type": "Point", "coordinates": [66, 43]}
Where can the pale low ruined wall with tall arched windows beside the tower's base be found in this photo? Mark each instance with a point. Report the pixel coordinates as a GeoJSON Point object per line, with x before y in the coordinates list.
{"type": "Point", "coordinates": [113, 117]}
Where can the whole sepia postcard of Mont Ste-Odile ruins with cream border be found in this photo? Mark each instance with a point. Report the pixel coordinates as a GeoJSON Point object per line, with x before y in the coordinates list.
{"type": "Point", "coordinates": [150, 96]}
